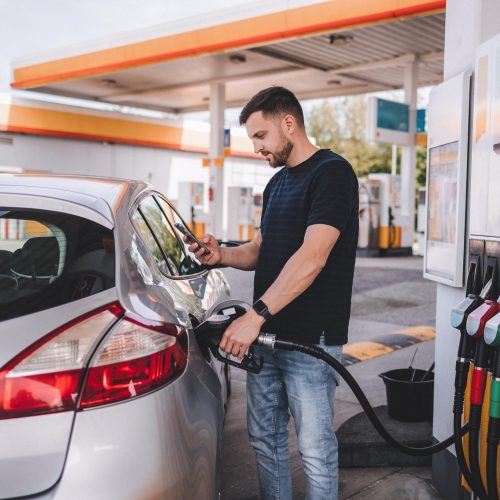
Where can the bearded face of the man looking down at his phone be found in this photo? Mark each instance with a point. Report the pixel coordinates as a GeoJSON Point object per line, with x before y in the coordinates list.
{"type": "Point", "coordinates": [269, 138]}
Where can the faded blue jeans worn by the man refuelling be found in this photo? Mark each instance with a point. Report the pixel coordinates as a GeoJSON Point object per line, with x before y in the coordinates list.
{"type": "Point", "coordinates": [296, 383]}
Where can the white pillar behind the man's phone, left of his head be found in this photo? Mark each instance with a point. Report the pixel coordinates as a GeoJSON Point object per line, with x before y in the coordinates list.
{"type": "Point", "coordinates": [216, 177]}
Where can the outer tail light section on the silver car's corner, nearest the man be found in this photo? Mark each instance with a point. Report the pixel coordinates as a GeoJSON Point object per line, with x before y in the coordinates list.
{"type": "Point", "coordinates": [134, 359]}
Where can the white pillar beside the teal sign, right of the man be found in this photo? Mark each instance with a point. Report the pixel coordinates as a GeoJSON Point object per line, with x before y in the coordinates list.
{"type": "Point", "coordinates": [409, 158]}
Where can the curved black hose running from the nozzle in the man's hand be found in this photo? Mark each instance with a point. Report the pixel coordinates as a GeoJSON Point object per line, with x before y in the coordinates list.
{"type": "Point", "coordinates": [317, 352]}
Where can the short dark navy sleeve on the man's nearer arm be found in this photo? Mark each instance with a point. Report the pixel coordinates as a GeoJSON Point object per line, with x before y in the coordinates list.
{"type": "Point", "coordinates": [333, 194]}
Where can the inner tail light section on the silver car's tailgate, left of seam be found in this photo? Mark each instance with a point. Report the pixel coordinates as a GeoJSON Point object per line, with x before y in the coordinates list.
{"type": "Point", "coordinates": [46, 377]}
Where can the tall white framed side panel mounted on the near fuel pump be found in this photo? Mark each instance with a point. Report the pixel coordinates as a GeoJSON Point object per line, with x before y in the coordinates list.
{"type": "Point", "coordinates": [448, 123]}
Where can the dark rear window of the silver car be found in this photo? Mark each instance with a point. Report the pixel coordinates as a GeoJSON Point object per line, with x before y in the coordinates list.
{"type": "Point", "coordinates": [51, 258]}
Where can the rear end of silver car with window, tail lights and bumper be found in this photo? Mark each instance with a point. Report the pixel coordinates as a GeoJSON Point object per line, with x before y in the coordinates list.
{"type": "Point", "coordinates": [87, 404]}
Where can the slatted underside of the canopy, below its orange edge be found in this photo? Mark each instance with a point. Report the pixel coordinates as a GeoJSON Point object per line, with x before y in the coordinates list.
{"type": "Point", "coordinates": [338, 62]}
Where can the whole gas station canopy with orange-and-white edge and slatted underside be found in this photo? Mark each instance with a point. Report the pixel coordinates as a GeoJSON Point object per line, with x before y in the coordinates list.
{"type": "Point", "coordinates": [332, 48]}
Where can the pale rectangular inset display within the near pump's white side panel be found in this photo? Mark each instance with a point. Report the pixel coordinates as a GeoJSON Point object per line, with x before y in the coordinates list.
{"type": "Point", "coordinates": [442, 210]}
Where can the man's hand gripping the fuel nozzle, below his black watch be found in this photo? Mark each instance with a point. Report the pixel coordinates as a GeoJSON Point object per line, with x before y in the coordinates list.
{"type": "Point", "coordinates": [241, 333]}
